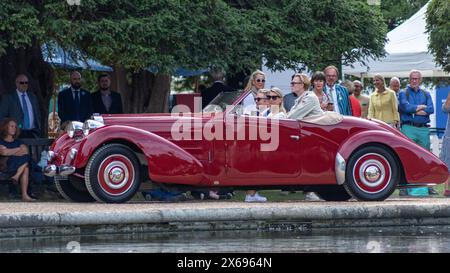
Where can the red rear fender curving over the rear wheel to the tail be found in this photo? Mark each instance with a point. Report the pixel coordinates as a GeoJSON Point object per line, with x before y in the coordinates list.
{"type": "Point", "coordinates": [419, 165]}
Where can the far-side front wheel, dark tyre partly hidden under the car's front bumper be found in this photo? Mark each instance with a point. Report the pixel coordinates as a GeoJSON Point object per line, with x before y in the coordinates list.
{"type": "Point", "coordinates": [73, 189]}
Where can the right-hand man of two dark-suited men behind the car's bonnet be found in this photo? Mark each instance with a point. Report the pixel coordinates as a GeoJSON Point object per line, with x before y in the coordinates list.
{"type": "Point", "coordinates": [105, 101]}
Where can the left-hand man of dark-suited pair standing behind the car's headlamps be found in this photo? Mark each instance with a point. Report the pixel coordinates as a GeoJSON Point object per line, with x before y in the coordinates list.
{"type": "Point", "coordinates": [74, 103]}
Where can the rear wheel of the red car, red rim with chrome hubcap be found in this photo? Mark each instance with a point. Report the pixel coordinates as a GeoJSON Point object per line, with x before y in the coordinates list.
{"type": "Point", "coordinates": [372, 174]}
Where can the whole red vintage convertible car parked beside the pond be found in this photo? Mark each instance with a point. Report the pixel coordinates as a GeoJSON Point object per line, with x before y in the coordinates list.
{"type": "Point", "coordinates": [107, 158]}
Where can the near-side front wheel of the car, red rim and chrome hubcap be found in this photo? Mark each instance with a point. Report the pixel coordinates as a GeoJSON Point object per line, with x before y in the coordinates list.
{"type": "Point", "coordinates": [113, 174]}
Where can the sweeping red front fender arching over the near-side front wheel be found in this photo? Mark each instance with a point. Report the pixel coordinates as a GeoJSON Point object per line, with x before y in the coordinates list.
{"type": "Point", "coordinates": [167, 162]}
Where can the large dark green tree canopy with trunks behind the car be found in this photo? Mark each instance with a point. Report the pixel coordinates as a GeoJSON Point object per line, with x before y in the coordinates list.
{"type": "Point", "coordinates": [133, 35]}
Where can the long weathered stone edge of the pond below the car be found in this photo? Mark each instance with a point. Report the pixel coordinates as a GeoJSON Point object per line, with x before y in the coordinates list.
{"type": "Point", "coordinates": [303, 217]}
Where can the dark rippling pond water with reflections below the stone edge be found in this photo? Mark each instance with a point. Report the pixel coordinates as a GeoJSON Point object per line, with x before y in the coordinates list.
{"type": "Point", "coordinates": [421, 240]}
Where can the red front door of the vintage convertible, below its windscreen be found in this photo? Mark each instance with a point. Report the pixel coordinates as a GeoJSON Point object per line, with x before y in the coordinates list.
{"type": "Point", "coordinates": [261, 148]}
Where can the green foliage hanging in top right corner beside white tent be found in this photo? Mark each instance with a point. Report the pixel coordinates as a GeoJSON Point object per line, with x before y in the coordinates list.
{"type": "Point", "coordinates": [438, 26]}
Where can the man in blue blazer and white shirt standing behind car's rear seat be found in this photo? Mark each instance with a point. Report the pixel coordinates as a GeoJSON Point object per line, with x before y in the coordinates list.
{"type": "Point", "coordinates": [338, 94]}
